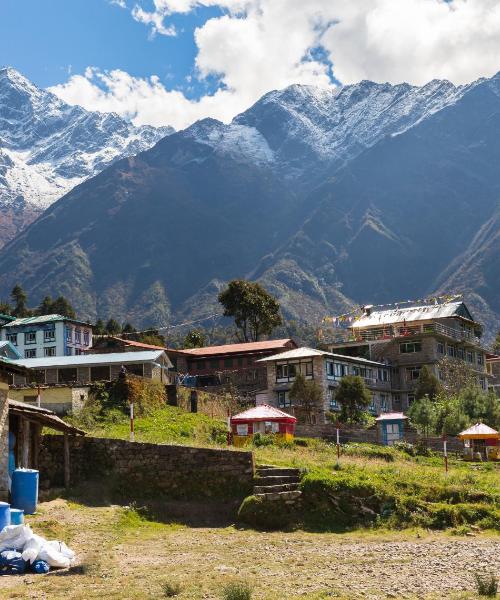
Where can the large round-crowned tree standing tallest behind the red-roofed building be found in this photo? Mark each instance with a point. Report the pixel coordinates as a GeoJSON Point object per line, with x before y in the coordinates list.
{"type": "Point", "coordinates": [255, 311]}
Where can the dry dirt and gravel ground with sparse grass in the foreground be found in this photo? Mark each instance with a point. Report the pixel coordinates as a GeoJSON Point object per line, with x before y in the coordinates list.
{"type": "Point", "coordinates": [121, 556]}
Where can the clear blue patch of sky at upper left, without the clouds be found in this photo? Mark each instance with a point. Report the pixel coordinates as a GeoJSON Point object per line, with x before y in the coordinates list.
{"type": "Point", "coordinates": [47, 40]}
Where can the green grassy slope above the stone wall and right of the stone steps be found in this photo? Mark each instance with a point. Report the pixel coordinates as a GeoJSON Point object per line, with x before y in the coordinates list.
{"type": "Point", "coordinates": [371, 485]}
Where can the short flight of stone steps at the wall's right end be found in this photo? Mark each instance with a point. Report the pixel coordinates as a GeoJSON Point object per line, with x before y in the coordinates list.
{"type": "Point", "coordinates": [277, 483]}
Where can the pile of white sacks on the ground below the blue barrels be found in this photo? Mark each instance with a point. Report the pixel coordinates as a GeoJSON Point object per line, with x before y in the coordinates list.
{"type": "Point", "coordinates": [34, 547]}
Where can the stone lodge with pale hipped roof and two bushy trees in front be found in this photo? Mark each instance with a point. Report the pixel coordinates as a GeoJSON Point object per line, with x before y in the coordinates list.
{"type": "Point", "coordinates": [327, 369]}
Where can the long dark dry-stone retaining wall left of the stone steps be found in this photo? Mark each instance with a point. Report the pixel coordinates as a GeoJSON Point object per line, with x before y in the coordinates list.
{"type": "Point", "coordinates": [153, 471]}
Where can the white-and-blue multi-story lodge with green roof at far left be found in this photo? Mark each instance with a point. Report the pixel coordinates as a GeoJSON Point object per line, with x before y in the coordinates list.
{"type": "Point", "coordinates": [47, 335]}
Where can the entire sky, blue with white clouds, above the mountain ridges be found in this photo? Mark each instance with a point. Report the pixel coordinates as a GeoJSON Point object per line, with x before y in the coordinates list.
{"type": "Point", "coordinates": [175, 61]}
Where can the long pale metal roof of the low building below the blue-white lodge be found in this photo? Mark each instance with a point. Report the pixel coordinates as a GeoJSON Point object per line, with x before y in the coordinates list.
{"type": "Point", "coordinates": [88, 360]}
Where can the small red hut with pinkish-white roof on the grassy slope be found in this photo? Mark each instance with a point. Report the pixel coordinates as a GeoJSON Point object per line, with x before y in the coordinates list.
{"type": "Point", "coordinates": [262, 419]}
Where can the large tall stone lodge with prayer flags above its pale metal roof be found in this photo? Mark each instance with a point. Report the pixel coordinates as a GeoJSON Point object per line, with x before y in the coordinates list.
{"type": "Point", "coordinates": [409, 338]}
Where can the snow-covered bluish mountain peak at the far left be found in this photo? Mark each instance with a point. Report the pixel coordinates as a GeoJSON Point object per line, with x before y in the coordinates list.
{"type": "Point", "coordinates": [47, 146]}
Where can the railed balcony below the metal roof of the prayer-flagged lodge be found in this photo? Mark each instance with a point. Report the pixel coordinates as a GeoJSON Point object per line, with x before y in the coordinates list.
{"type": "Point", "coordinates": [393, 331]}
